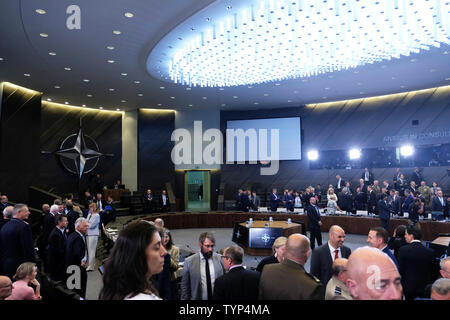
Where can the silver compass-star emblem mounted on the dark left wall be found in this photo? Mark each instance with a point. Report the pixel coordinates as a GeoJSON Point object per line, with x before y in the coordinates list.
{"type": "Point", "coordinates": [79, 153]}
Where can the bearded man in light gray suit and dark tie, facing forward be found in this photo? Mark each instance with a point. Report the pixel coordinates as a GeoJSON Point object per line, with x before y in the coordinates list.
{"type": "Point", "coordinates": [201, 270]}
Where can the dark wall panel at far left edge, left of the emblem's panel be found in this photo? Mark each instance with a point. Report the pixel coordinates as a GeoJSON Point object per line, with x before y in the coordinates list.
{"type": "Point", "coordinates": [19, 141]}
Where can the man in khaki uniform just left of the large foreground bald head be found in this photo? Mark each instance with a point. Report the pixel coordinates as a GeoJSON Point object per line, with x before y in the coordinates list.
{"type": "Point", "coordinates": [336, 287]}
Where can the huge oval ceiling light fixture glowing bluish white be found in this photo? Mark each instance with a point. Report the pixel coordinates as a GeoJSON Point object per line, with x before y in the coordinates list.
{"type": "Point", "coordinates": [260, 41]}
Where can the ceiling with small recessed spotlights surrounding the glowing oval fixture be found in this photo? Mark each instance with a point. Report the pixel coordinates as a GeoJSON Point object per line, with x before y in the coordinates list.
{"type": "Point", "coordinates": [85, 52]}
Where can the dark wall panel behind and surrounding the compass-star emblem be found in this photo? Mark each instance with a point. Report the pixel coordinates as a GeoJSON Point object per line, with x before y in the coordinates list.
{"type": "Point", "coordinates": [57, 123]}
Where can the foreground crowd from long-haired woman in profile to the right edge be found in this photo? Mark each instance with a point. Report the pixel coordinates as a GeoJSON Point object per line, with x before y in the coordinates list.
{"type": "Point", "coordinates": [387, 269]}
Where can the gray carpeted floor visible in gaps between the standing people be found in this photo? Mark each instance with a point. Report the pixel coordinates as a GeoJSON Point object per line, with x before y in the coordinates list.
{"type": "Point", "coordinates": [187, 241]}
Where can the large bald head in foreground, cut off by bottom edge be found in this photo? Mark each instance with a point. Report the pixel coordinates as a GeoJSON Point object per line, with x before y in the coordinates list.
{"type": "Point", "coordinates": [372, 275]}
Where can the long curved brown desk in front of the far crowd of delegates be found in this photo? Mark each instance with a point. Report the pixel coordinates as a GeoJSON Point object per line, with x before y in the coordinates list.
{"type": "Point", "coordinates": [351, 225]}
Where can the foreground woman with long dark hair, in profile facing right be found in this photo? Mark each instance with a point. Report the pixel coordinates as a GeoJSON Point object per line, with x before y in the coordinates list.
{"type": "Point", "coordinates": [137, 255]}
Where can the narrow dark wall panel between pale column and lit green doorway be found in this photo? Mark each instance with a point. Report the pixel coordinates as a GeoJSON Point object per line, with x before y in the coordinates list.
{"type": "Point", "coordinates": [155, 166]}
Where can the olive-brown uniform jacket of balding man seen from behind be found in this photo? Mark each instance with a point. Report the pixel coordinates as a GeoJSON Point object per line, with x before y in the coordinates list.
{"type": "Point", "coordinates": [288, 280]}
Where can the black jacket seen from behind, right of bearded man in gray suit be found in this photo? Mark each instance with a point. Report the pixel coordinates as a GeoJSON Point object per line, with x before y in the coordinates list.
{"type": "Point", "coordinates": [237, 284]}
